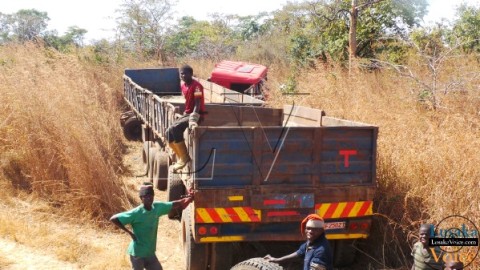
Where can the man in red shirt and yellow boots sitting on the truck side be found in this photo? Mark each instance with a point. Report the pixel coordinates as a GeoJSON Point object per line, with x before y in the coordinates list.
{"type": "Point", "coordinates": [192, 90]}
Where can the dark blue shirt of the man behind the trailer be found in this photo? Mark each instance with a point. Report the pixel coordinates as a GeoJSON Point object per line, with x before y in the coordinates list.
{"type": "Point", "coordinates": [317, 252]}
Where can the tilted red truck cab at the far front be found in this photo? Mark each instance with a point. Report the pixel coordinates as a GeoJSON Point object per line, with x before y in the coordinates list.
{"type": "Point", "coordinates": [245, 78]}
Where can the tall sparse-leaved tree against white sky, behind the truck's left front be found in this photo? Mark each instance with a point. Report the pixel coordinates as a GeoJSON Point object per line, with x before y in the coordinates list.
{"type": "Point", "coordinates": [143, 25]}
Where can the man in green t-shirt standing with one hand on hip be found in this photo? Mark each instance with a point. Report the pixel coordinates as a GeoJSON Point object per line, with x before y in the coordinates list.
{"type": "Point", "coordinates": [143, 220]}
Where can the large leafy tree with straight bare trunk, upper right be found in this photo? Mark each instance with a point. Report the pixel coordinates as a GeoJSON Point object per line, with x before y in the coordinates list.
{"type": "Point", "coordinates": [327, 24]}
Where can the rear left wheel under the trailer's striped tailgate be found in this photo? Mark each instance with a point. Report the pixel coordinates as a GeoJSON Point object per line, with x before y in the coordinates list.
{"type": "Point", "coordinates": [195, 254]}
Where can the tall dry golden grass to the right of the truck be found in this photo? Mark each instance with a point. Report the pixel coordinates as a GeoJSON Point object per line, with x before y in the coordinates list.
{"type": "Point", "coordinates": [428, 161]}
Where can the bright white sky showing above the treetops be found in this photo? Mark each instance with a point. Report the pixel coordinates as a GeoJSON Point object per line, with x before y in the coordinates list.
{"type": "Point", "coordinates": [98, 16]}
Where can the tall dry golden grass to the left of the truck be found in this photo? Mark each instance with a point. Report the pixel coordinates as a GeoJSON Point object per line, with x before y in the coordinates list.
{"type": "Point", "coordinates": [60, 138]}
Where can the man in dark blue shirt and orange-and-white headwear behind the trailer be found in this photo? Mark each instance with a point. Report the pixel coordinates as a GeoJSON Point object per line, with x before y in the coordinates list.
{"type": "Point", "coordinates": [316, 252]}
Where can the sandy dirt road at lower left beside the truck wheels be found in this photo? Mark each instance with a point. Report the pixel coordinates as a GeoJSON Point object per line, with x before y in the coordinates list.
{"type": "Point", "coordinates": [33, 238]}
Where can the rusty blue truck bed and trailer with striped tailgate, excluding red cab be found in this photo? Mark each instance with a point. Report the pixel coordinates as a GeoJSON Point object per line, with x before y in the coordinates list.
{"type": "Point", "coordinates": [256, 171]}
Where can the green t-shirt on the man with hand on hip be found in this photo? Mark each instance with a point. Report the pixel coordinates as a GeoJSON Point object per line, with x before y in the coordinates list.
{"type": "Point", "coordinates": [145, 225]}
